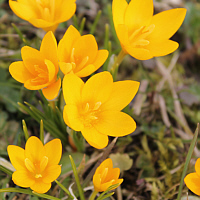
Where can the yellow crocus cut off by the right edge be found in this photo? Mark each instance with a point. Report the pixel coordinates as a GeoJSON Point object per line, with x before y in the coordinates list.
{"type": "Point", "coordinates": [192, 180]}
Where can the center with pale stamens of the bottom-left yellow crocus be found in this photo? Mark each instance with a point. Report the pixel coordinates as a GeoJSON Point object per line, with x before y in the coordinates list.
{"type": "Point", "coordinates": [36, 168]}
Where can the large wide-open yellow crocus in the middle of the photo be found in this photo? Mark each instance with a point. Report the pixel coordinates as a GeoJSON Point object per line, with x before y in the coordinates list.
{"type": "Point", "coordinates": [94, 108]}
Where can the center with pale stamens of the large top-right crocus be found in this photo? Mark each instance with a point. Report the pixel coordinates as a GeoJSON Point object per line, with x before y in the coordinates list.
{"type": "Point", "coordinates": [138, 37]}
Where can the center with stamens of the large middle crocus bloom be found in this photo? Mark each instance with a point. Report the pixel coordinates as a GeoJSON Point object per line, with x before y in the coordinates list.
{"type": "Point", "coordinates": [89, 114]}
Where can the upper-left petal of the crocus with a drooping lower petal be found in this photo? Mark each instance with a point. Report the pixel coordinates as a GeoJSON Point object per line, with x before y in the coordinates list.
{"type": "Point", "coordinates": [32, 57]}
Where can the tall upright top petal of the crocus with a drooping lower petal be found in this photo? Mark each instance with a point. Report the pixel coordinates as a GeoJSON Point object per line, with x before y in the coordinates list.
{"type": "Point", "coordinates": [49, 49]}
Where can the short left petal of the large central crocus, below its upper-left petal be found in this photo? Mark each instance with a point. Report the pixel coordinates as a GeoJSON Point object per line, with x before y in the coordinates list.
{"type": "Point", "coordinates": [72, 117]}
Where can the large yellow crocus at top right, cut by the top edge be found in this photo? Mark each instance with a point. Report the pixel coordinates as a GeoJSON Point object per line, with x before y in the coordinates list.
{"type": "Point", "coordinates": [142, 34]}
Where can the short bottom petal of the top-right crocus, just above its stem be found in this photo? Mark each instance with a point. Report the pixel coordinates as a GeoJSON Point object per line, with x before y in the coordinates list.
{"type": "Point", "coordinates": [139, 53]}
